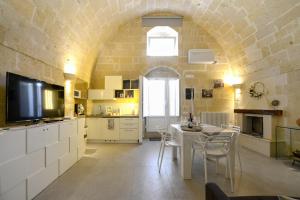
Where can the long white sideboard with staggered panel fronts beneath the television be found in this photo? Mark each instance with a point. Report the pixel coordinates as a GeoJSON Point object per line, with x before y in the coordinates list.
{"type": "Point", "coordinates": [33, 157]}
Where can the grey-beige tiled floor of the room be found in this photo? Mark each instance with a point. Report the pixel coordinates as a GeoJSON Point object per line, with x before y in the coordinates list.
{"type": "Point", "coordinates": [129, 171]}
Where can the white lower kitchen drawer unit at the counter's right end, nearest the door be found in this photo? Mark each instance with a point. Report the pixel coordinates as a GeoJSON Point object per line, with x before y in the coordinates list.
{"type": "Point", "coordinates": [129, 129]}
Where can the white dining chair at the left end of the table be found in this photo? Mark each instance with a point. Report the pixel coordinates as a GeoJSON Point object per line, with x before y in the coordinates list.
{"type": "Point", "coordinates": [167, 140]}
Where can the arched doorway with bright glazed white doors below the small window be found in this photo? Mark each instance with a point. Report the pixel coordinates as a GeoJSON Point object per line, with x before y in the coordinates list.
{"type": "Point", "coordinates": [161, 100]}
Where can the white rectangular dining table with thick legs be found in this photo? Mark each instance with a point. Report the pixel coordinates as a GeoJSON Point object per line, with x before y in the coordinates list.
{"type": "Point", "coordinates": [187, 138]}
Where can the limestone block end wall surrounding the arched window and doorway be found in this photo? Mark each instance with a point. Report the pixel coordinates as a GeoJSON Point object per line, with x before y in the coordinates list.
{"type": "Point", "coordinates": [125, 55]}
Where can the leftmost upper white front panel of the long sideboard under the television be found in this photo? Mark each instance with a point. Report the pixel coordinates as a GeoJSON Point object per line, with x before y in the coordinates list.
{"type": "Point", "coordinates": [12, 145]}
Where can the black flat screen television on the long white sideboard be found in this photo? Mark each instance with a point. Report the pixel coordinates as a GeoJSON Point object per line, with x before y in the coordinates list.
{"type": "Point", "coordinates": [29, 99]}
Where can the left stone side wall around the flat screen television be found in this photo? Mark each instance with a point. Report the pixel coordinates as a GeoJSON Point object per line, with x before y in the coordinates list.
{"type": "Point", "coordinates": [20, 63]}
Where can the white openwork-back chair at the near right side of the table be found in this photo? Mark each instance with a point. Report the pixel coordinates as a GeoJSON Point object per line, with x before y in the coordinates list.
{"type": "Point", "coordinates": [216, 147]}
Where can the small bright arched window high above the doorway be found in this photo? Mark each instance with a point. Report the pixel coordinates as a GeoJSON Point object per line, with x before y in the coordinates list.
{"type": "Point", "coordinates": [162, 41]}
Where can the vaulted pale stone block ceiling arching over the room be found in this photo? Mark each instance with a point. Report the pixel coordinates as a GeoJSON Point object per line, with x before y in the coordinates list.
{"type": "Point", "coordinates": [60, 31]}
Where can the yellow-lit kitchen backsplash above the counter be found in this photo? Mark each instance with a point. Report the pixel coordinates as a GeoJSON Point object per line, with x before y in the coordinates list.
{"type": "Point", "coordinates": [116, 108]}
